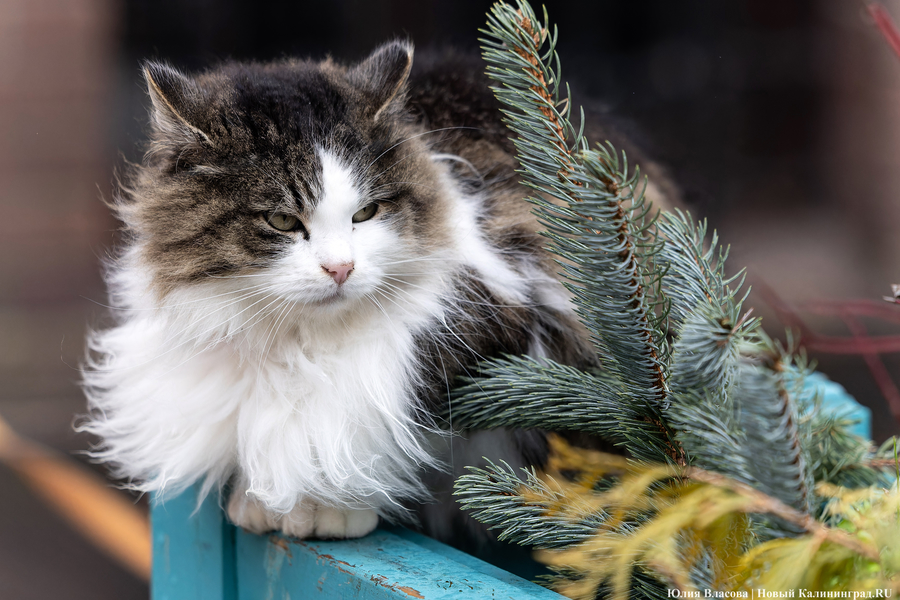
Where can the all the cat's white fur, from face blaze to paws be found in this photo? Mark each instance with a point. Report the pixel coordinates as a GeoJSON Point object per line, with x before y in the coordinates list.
{"type": "Point", "coordinates": [300, 388]}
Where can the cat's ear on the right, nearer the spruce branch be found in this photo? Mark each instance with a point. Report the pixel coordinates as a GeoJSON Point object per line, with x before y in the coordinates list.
{"type": "Point", "coordinates": [382, 76]}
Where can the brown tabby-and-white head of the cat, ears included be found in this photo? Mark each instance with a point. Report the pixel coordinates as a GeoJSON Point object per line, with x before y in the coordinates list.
{"type": "Point", "coordinates": [309, 178]}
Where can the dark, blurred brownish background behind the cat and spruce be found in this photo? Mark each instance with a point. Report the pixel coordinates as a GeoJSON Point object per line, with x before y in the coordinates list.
{"type": "Point", "coordinates": [778, 119]}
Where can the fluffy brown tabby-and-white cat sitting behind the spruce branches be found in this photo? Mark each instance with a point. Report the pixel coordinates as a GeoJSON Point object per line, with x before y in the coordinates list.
{"type": "Point", "coordinates": [313, 254]}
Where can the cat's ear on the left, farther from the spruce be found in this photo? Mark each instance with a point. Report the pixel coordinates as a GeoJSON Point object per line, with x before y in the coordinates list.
{"type": "Point", "coordinates": [175, 99]}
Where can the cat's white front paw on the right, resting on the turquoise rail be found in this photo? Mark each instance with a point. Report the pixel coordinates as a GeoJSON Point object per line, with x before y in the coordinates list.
{"type": "Point", "coordinates": [309, 519]}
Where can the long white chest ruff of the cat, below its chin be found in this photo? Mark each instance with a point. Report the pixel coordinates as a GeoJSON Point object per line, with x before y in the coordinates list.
{"type": "Point", "coordinates": [299, 411]}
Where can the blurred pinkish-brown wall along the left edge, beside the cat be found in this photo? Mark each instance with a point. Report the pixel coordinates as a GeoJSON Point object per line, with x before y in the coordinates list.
{"type": "Point", "coordinates": [57, 75]}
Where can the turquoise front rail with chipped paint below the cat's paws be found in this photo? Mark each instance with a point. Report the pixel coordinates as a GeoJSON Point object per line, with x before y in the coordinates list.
{"type": "Point", "coordinates": [381, 566]}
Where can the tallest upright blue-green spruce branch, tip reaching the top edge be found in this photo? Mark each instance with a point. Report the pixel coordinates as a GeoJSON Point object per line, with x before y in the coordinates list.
{"type": "Point", "coordinates": [598, 224]}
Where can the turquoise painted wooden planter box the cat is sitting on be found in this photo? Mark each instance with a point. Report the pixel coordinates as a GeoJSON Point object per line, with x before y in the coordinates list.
{"type": "Point", "coordinates": [200, 556]}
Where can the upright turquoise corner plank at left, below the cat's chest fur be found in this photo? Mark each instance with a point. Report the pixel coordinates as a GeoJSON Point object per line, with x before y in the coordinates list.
{"type": "Point", "coordinates": [193, 552]}
